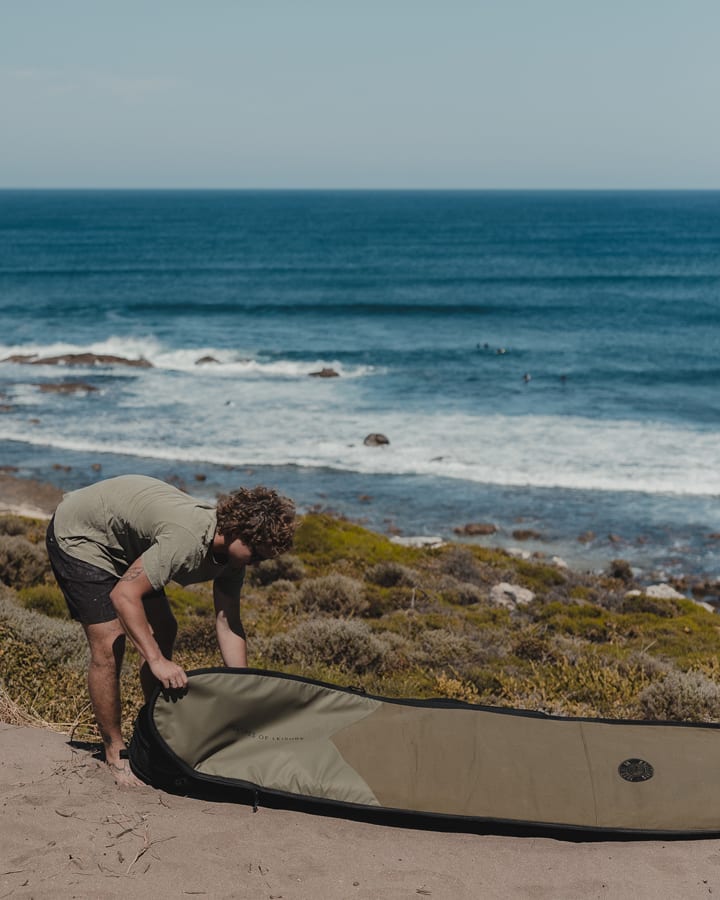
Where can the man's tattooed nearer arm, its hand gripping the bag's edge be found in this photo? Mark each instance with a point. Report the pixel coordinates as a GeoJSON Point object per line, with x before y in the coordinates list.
{"type": "Point", "coordinates": [126, 597]}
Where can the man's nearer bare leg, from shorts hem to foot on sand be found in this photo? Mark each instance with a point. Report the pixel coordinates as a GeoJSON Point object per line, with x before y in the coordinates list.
{"type": "Point", "coordinates": [107, 648]}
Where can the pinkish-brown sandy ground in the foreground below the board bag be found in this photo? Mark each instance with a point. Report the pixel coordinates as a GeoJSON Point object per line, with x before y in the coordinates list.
{"type": "Point", "coordinates": [67, 831]}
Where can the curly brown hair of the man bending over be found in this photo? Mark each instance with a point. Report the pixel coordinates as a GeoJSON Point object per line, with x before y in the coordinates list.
{"type": "Point", "coordinates": [260, 517]}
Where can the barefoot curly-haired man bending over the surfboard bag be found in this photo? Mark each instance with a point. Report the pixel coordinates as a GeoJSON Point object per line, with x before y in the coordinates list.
{"type": "Point", "coordinates": [114, 546]}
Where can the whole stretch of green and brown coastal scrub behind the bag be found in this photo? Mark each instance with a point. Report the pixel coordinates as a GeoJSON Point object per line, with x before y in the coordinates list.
{"type": "Point", "coordinates": [350, 607]}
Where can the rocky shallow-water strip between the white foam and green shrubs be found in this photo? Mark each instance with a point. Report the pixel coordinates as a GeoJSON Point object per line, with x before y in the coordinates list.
{"type": "Point", "coordinates": [561, 528]}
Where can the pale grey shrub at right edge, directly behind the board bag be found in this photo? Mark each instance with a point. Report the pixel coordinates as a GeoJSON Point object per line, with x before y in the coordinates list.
{"type": "Point", "coordinates": [682, 696]}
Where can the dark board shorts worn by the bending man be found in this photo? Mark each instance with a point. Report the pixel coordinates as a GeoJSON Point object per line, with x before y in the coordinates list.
{"type": "Point", "coordinates": [86, 588]}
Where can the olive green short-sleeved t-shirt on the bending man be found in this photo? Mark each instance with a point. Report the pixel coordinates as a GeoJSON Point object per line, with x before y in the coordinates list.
{"type": "Point", "coordinates": [114, 522]}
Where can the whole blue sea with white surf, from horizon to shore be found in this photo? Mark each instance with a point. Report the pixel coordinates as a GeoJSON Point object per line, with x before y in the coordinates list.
{"type": "Point", "coordinates": [543, 361]}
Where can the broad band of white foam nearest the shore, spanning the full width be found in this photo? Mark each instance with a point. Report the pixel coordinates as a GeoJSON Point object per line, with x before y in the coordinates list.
{"type": "Point", "coordinates": [535, 451]}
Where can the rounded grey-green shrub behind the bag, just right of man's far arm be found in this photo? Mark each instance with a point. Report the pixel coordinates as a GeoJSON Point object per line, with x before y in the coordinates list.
{"type": "Point", "coordinates": [347, 644]}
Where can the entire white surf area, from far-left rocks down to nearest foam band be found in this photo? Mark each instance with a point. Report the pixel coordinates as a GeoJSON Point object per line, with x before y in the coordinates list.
{"type": "Point", "coordinates": [249, 411]}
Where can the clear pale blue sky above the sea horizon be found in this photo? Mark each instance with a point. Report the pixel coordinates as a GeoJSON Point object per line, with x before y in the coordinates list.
{"type": "Point", "coordinates": [360, 93]}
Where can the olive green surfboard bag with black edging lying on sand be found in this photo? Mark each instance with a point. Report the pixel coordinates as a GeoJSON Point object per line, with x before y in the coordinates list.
{"type": "Point", "coordinates": [273, 739]}
